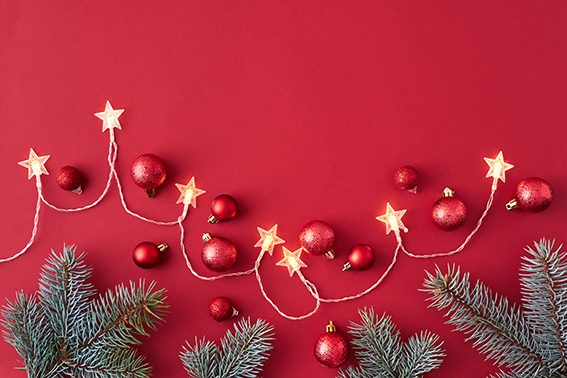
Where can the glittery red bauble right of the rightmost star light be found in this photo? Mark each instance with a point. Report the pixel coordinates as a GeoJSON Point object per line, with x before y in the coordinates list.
{"type": "Point", "coordinates": [532, 195]}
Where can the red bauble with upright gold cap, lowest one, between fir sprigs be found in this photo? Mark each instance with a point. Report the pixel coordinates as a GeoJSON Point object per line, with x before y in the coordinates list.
{"type": "Point", "coordinates": [331, 348]}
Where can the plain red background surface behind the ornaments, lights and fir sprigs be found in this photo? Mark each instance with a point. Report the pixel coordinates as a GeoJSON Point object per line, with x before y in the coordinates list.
{"type": "Point", "coordinates": [301, 111]}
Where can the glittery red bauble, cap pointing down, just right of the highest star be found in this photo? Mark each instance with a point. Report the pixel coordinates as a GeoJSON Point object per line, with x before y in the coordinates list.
{"type": "Point", "coordinates": [148, 172]}
